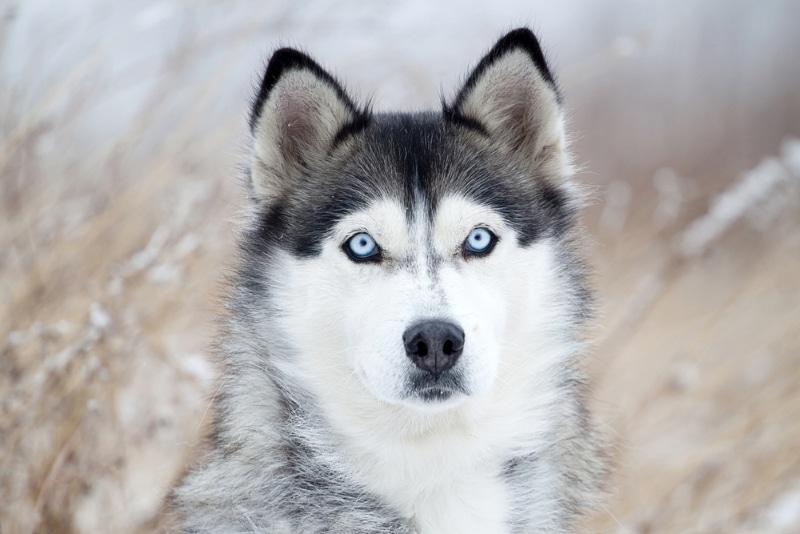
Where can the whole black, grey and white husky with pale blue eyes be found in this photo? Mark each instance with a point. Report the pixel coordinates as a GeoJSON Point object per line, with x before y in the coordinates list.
{"type": "Point", "coordinates": [405, 330]}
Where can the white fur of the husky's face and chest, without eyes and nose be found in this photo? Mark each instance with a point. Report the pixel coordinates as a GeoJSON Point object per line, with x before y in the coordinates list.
{"type": "Point", "coordinates": [440, 465]}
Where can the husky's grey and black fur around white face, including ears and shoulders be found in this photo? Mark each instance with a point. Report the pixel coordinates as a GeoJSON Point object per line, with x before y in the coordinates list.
{"type": "Point", "coordinates": [276, 464]}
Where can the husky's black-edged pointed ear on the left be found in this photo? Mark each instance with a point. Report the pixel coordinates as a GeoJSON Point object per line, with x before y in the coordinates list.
{"type": "Point", "coordinates": [300, 114]}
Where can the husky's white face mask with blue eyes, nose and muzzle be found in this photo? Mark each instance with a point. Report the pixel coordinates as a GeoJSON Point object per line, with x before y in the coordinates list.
{"type": "Point", "coordinates": [420, 312]}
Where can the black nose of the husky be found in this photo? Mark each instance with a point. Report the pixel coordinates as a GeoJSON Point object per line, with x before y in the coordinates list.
{"type": "Point", "coordinates": [434, 346]}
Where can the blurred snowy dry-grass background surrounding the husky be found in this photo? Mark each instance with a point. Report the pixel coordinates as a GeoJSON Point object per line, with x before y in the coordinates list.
{"type": "Point", "coordinates": [122, 132]}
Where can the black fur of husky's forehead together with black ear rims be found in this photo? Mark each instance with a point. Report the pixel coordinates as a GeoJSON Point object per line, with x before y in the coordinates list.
{"type": "Point", "coordinates": [429, 157]}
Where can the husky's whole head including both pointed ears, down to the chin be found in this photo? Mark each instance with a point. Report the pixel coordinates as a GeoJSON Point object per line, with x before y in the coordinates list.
{"type": "Point", "coordinates": [411, 258]}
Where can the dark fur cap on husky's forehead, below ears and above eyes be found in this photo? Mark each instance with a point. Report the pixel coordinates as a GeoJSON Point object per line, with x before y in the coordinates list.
{"type": "Point", "coordinates": [429, 161]}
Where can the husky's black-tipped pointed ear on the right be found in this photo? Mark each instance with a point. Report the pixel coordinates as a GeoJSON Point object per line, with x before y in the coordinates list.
{"type": "Point", "coordinates": [512, 97]}
